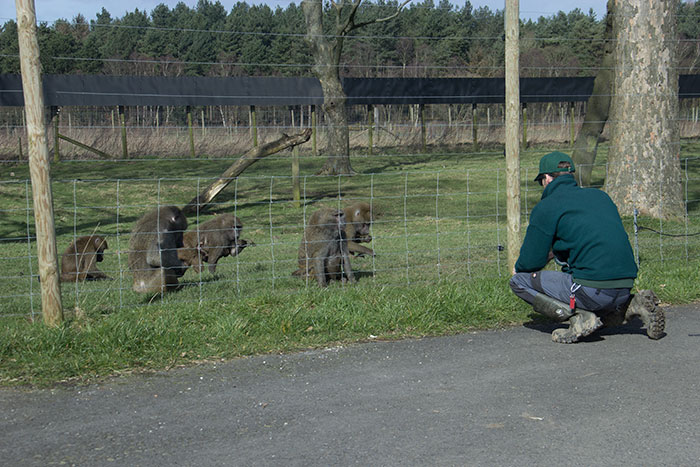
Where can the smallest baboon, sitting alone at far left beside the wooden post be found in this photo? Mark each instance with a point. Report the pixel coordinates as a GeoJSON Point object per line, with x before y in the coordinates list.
{"type": "Point", "coordinates": [78, 262]}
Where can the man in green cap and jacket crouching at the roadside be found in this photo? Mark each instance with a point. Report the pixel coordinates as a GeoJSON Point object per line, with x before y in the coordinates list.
{"type": "Point", "coordinates": [581, 229]}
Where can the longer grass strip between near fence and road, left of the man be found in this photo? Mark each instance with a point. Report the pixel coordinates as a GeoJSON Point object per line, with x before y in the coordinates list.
{"type": "Point", "coordinates": [91, 344]}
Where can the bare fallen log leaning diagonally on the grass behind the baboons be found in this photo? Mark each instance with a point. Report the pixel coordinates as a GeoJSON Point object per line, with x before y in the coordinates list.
{"type": "Point", "coordinates": [201, 201]}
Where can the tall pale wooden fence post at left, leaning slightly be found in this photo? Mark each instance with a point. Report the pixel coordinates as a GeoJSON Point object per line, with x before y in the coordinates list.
{"type": "Point", "coordinates": [51, 307]}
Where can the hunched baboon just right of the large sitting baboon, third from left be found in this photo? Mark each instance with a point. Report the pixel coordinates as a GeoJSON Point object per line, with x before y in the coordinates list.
{"type": "Point", "coordinates": [211, 241]}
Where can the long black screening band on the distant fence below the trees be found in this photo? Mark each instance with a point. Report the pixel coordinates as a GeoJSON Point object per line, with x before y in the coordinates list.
{"type": "Point", "coordinates": [99, 90]}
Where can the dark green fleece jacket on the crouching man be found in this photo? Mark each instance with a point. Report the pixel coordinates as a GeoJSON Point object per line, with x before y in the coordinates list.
{"type": "Point", "coordinates": [583, 229]}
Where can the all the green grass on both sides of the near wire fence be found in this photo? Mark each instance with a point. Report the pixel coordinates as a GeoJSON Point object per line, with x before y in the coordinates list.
{"type": "Point", "coordinates": [438, 269]}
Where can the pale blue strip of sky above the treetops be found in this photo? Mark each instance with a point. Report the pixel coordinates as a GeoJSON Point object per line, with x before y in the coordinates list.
{"type": "Point", "coordinates": [51, 10]}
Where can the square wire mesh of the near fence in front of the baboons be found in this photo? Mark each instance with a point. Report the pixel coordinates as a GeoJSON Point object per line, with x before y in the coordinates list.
{"type": "Point", "coordinates": [434, 223]}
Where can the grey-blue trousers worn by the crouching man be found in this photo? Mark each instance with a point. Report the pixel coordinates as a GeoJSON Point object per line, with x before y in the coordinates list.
{"type": "Point", "coordinates": [559, 285]}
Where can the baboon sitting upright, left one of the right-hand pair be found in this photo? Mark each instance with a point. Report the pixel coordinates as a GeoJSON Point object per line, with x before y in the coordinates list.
{"type": "Point", "coordinates": [323, 252]}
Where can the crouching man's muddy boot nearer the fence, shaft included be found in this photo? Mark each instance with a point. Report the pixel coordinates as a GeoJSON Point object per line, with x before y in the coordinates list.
{"type": "Point", "coordinates": [581, 322]}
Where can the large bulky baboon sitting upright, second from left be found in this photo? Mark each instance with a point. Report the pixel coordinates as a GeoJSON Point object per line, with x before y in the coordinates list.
{"type": "Point", "coordinates": [153, 247]}
